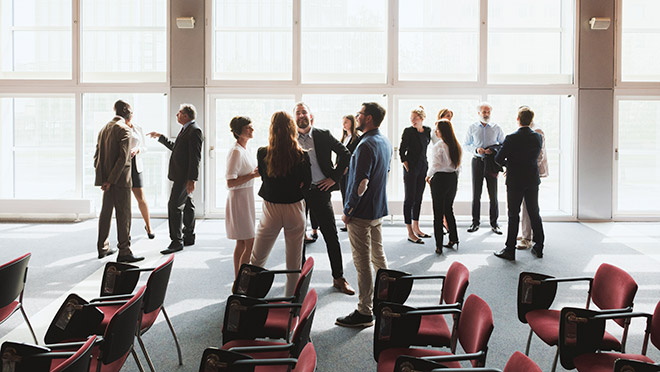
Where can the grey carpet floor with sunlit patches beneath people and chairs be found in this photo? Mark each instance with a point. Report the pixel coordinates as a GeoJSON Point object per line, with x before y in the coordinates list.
{"type": "Point", "coordinates": [64, 260]}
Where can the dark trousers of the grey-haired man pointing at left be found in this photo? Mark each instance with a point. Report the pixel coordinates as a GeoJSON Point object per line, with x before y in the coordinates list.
{"type": "Point", "coordinates": [181, 213]}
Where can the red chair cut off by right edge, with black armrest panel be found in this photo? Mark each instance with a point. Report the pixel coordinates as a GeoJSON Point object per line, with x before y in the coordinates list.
{"type": "Point", "coordinates": [580, 333]}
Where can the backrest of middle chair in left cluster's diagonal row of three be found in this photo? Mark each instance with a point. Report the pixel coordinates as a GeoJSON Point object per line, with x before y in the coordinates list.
{"type": "Point", "coordinates": [122, 328]}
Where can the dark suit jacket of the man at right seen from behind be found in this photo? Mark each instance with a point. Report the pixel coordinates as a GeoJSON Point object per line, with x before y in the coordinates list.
{"type": "Point", "coordinates": [519, 154]}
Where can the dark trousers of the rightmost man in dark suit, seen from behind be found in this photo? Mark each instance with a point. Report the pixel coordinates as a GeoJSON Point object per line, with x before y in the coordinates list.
{"type": "Point", "coordinates": [515, 198]}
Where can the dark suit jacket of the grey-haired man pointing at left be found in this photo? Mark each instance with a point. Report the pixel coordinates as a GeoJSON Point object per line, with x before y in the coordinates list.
{"type": "Point", "coordinates": [186, 154]}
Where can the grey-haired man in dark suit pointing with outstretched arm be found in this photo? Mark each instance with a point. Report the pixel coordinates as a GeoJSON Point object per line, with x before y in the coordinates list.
{"type": "Point", "coordinates": [183, 172]}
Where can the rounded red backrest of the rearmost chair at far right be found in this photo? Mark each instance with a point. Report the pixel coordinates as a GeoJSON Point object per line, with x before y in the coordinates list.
{"type": "Point", "coordinates": [613, 288]}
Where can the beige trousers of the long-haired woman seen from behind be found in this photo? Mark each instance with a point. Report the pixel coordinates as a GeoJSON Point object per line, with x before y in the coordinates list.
{"type": "Point", "coordinates": [275, 217]}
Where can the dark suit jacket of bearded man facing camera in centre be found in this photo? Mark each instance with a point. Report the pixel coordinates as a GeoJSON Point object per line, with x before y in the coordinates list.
{"type": "Point", "coordinates": [324, 144]}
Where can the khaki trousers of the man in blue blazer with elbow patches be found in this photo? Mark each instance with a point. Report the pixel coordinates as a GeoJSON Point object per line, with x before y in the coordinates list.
{"type": "Point", "coordinates": [367, 245]}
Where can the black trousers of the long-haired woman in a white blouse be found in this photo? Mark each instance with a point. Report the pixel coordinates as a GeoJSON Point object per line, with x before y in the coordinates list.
{"type": "Point", "coordinates": [443, 192]}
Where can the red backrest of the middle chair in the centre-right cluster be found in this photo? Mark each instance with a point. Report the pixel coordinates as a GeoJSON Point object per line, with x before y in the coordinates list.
{"type": "Point", "coordinates": [475, 327]}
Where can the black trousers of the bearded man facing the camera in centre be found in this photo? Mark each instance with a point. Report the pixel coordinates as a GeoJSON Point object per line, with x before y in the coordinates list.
{"type": "Point", "coordinates": [320, 206]}
